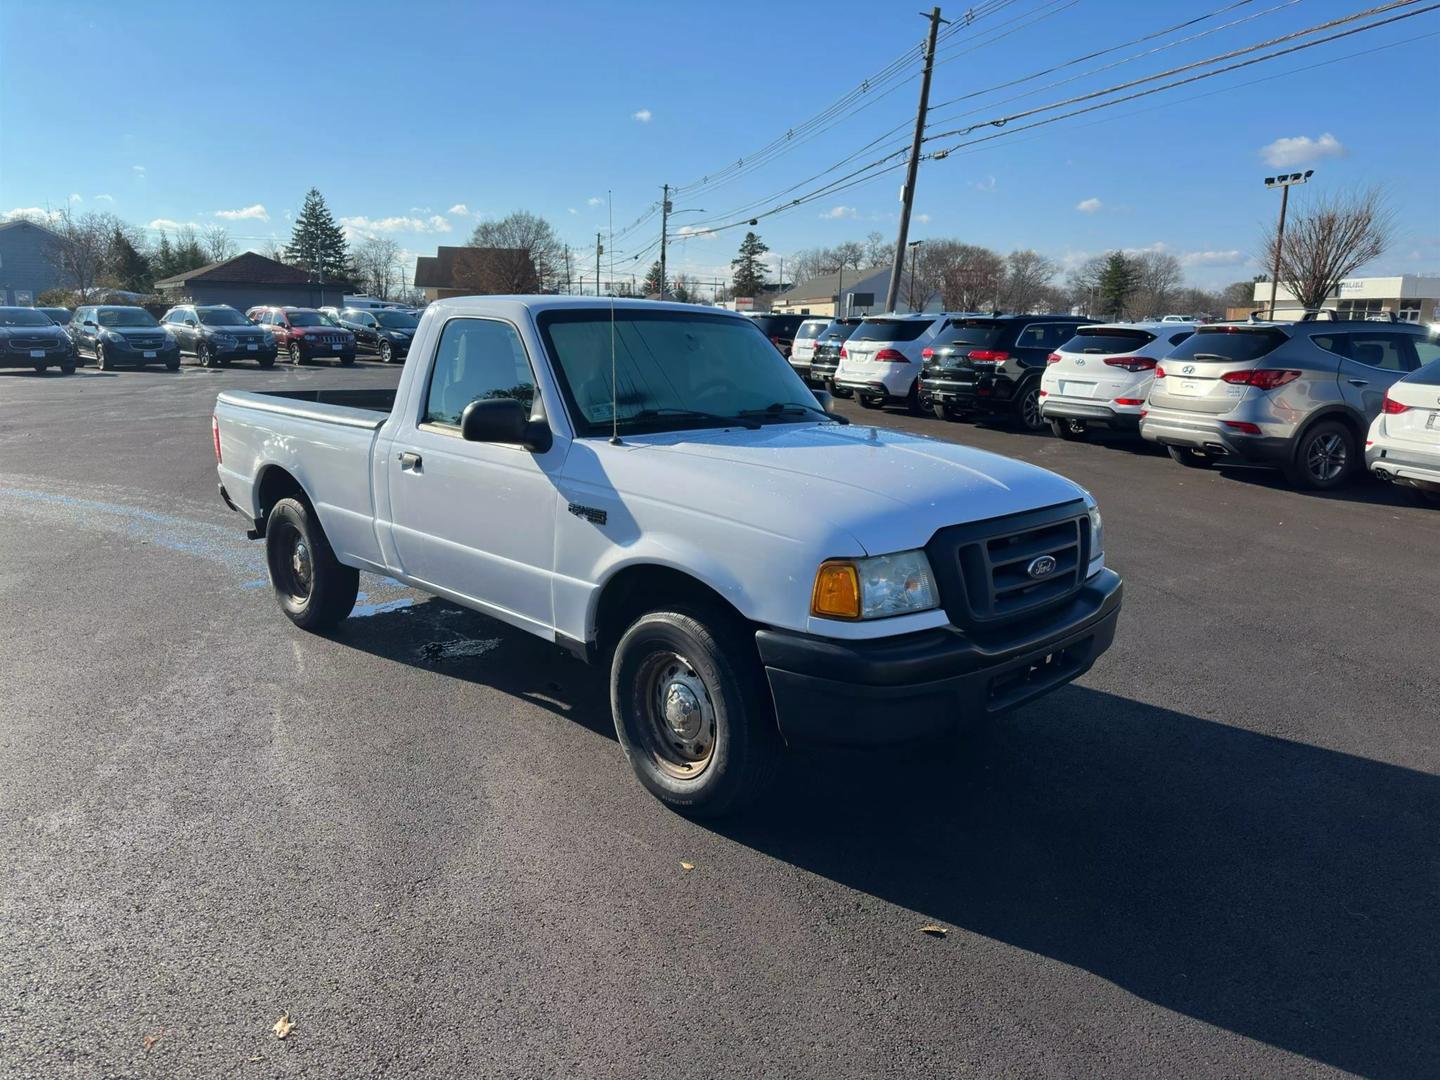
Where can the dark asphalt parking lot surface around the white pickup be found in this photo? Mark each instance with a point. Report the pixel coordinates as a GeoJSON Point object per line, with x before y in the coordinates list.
{"type": "Point", "coordinates": [1213, 856]}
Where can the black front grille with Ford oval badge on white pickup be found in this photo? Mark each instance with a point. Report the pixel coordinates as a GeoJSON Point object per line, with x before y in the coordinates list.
{"type": "Point", "coordinates": [984, 570]}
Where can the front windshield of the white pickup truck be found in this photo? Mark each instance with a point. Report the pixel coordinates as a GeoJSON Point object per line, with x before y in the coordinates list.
{"type": "Point", "coordinates": [673, 371]}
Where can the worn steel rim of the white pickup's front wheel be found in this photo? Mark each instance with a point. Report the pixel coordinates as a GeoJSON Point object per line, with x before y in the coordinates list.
{"type": "Point", "coordinates": [678, 716]}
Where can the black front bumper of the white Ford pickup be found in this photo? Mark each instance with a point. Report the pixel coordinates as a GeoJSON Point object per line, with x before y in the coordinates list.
{"type": "Point", "coordinates": [921, 686]}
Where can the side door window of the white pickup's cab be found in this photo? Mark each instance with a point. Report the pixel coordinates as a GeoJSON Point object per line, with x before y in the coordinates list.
{"type": "Point", "coordinates": [477, 358]}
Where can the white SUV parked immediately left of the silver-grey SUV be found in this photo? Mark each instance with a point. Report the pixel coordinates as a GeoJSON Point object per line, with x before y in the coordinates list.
{"type": "Point", "coordinates": [1104, 375]}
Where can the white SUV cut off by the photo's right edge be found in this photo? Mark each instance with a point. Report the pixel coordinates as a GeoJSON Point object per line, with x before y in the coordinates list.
{"type": "Point", "coordinates": [1405, 441]}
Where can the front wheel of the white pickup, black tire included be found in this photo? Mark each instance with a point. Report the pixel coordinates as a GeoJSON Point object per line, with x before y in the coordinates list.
{"type": "Point", "coordinates": [705, 657]}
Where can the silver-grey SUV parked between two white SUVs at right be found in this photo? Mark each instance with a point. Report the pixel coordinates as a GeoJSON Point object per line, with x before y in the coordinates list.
{"type": "Point", "coordinates": [1298, 397]}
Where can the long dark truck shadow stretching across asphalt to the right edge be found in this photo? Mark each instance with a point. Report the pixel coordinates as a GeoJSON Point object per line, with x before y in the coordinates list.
{"type": "Point", "coordinates": [1274, 889]}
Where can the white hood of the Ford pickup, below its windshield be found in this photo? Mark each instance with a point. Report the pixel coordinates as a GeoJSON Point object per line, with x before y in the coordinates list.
{"type": "Point", "coordinates": [888, 490]}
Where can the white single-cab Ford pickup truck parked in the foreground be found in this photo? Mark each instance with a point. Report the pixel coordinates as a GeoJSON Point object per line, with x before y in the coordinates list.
{"type": "Point", "coordinates": [653, 487]}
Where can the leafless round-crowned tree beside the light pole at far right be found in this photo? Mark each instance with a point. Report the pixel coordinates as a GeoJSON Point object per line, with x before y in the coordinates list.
{"type": "Point", "coordinates": [1331, 241]}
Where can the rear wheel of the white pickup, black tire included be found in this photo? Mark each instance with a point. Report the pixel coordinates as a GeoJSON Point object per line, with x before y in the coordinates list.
{"type": "Point", "coordinates": [312, 587]}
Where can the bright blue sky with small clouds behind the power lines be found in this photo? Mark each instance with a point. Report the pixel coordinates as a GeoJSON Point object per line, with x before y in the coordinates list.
{"type": "Point", "coordinates": [418, 120]}
